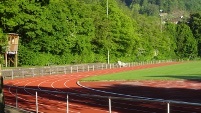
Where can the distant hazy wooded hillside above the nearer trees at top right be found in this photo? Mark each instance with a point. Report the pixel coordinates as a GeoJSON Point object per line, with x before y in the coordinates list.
{"type": "Point", "coordinates": [152, 7]}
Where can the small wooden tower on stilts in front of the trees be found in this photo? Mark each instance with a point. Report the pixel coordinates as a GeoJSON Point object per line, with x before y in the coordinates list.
{"type": "Point", "coordinates": [11, 51]}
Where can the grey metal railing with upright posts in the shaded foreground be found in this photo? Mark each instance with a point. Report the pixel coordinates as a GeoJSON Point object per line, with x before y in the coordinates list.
{"type": "Point", "coordinates": [110, 99]}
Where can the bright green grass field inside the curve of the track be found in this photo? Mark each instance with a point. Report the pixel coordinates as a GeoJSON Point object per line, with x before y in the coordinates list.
{"type": "Point", "coordinates": [185, 71]}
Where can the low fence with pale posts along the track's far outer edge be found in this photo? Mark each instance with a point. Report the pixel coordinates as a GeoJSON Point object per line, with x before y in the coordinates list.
{"type": "Point", "coordinates": [49, 70]}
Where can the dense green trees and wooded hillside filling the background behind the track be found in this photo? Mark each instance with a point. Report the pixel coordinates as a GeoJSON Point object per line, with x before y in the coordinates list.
{"type": "Point", "coordinates": [84, 31]}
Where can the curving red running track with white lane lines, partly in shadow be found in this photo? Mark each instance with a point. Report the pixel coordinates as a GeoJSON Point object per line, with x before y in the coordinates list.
{"type": "Point", "coordinates": [63, 83]}
